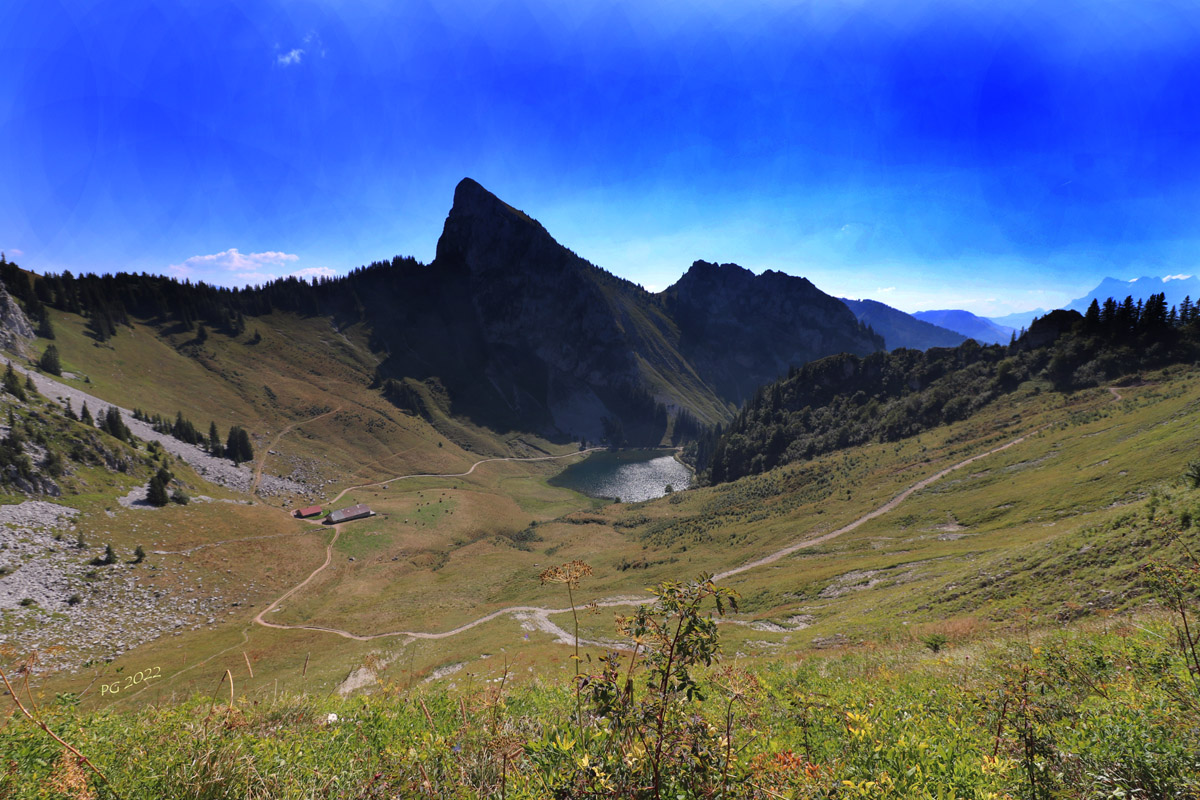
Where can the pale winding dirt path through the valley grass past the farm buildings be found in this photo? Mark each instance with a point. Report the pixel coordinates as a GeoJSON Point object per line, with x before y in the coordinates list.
{"type": "Point", "coordinates": [541, 617]}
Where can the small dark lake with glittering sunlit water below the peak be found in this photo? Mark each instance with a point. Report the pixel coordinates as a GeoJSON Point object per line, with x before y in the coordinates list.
{"type": "Point", "coordinates": [632, 476]}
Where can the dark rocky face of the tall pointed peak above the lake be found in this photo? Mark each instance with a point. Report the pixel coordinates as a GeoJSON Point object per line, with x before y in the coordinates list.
{"type": "Point", "coordinates": [551, 346]}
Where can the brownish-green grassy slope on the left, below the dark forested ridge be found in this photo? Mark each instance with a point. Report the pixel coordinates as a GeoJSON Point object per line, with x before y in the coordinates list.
{"type": "Point", "coordinates": [303, 381]}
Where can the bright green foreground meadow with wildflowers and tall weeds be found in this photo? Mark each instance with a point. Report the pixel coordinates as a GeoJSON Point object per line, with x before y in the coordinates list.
{"type": "Point", "coordinates": [1107, 711]}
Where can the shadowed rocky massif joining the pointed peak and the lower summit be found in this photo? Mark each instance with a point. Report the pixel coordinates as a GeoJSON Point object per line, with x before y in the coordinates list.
{"type": "Point", "coordinates": [526, 335]}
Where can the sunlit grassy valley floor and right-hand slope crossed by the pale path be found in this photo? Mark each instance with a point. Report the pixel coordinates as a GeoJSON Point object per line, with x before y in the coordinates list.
{"type": "Point", "coordinates": [965, 556]}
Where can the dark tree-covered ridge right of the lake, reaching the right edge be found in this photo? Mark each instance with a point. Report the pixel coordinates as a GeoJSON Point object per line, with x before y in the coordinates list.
{"type": "Point", "coordinates": [844, 401]}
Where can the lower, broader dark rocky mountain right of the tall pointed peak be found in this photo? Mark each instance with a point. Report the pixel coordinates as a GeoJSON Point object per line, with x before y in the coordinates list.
{"type": "Point", "coordinates": [742, 330]}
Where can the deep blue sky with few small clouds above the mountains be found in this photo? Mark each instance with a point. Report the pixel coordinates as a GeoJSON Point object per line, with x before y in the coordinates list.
{"type": "Point", "coordinates": [940, 154]}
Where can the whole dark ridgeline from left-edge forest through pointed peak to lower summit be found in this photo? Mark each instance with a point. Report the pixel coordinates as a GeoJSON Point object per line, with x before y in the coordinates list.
{"type": "Point", "coordinates": [513, 330]}
